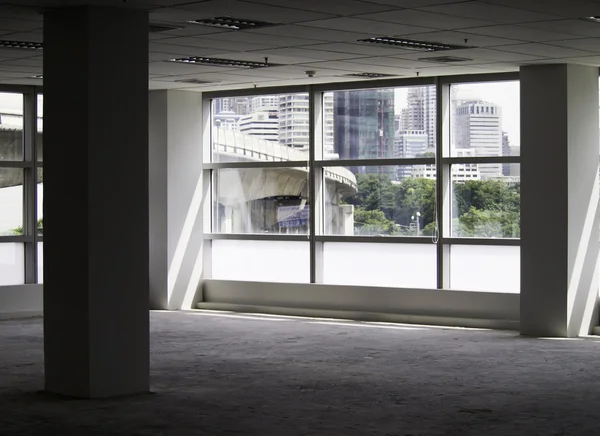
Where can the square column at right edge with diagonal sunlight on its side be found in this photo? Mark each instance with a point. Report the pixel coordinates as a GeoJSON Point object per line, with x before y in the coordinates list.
{"type": "Point", "coordinates": [559, 199]}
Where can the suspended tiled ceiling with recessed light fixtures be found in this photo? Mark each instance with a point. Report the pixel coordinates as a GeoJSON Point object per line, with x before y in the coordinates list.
{"type": "Point", "coordinates": [321, 36]}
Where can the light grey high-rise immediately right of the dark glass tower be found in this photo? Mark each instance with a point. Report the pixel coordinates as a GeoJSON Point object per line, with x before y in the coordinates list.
{"type": "Point", "coordinates": [420, 112]}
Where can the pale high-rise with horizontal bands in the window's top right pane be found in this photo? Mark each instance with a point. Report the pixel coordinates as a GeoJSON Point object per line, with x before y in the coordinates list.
{"type": "Point", "coordinates": [478, 127]}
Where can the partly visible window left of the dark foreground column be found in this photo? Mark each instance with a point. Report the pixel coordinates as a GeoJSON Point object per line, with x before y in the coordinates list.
{"type": "Point", "coordinates": [20, 187]}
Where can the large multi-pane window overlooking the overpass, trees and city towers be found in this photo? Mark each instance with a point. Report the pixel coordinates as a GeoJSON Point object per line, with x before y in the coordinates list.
{"type": "Point", "coordinates": [414, 186]}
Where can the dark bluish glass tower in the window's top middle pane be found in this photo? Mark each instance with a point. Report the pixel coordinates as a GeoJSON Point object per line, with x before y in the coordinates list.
{"type": "Point", "coordinates": [364, 124]}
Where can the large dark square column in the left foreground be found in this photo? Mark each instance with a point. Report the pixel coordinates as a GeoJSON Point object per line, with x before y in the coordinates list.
{"type": "Point", "coordinates": [96, 202]}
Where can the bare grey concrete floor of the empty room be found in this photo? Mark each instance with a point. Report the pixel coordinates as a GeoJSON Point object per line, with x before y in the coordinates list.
{"type": "Point", "coordinates": [215, 374]}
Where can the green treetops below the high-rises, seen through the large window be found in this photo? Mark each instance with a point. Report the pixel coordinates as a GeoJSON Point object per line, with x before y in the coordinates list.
{"type": "Point", "coordinates": [481, 208]}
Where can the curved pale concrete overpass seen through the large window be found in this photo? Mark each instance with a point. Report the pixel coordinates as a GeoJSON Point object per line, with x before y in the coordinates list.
{"type": "Point", "coordinates": [274, 200]}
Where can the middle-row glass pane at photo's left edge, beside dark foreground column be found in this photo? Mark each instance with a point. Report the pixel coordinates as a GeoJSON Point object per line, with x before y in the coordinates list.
{"type": "Point", "coordinates": [11, 201]}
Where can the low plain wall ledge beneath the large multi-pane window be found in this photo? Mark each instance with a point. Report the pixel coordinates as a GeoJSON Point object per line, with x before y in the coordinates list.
{"type": "Point", "coordinates": [426, 306]}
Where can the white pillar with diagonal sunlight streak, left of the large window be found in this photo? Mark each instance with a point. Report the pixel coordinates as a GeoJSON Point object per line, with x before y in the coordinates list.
{"type": "Point", "coordinates": [176, 192]}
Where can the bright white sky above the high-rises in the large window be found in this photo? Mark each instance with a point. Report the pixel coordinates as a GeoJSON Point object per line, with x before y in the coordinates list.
{"type": "Point", "coordinates": [504, 94]}
